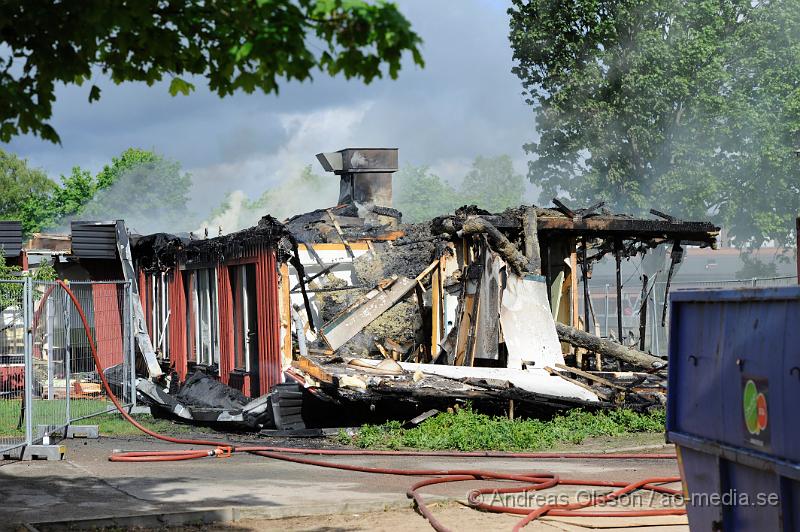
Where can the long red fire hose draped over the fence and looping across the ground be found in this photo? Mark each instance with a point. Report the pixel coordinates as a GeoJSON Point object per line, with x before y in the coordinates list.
{"type": "Point", "coordinates": [534, 481]}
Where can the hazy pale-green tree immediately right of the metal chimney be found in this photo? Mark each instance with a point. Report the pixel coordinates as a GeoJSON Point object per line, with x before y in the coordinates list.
{"type": "Point", "coordinates": [421, 195]}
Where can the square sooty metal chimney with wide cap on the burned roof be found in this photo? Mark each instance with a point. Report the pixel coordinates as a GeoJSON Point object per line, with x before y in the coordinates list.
{"type": "Point", "coordinates": [365, 174]}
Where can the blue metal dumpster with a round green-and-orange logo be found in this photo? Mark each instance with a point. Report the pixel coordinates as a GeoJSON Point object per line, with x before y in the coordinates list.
{"type": "Point", "coordinates": [733, 406]}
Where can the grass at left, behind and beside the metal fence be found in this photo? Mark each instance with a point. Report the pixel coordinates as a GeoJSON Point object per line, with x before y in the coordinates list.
{"type": "Point", "coordinates": [110, 424]}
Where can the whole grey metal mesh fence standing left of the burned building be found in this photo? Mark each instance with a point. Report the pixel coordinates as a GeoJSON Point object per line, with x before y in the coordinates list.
{"type": "Point", "coordinates": [49, 376]}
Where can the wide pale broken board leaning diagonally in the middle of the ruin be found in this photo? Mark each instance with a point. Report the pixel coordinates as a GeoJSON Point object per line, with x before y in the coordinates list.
{"type": "Point", "coordinates": [342, 328]}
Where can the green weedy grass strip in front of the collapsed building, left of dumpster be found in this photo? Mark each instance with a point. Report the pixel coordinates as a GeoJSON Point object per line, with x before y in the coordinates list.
{"type": "Point", "coordinates": [468, 430]}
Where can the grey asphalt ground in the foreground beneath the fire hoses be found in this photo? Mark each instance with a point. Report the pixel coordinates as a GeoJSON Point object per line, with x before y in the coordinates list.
{"type": "Point", "coordinates": [86, 485]}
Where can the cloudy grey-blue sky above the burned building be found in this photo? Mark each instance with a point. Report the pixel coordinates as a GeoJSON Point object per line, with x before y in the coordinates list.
{"type": "Point", "coordinates": [464, 102]}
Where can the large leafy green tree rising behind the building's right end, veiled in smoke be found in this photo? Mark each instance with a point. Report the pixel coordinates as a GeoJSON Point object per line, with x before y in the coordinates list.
{"type": "Point", "coordinates": [690, 106]}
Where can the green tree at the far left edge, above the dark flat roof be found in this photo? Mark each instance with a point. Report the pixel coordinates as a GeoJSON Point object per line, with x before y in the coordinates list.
{"type": "Point", "coordinates": [19, 185]}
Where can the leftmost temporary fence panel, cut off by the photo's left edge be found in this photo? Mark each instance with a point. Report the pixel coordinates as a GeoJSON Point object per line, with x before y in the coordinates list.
{"type": "Point", "coordinates": [13, 371]}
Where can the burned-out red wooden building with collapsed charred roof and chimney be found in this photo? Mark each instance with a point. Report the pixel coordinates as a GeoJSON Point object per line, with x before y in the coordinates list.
{"type": "Point", "coordinates": [357, 307]}
